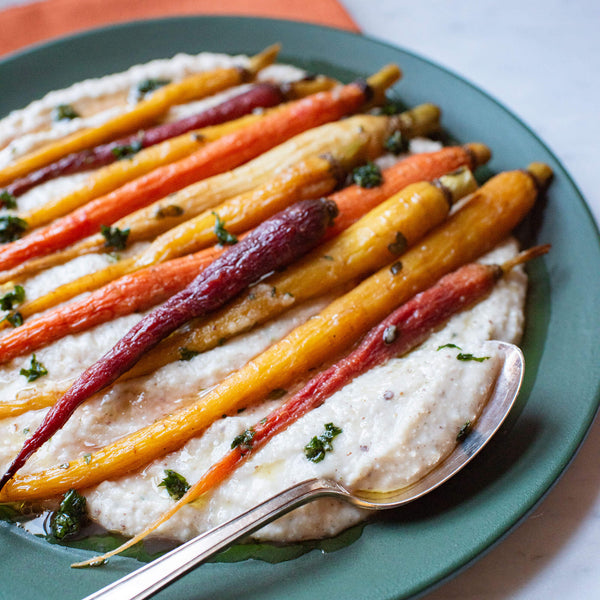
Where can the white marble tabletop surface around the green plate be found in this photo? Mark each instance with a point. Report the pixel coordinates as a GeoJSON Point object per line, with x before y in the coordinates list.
{"type": "Point", "coordinates": [520, 51]}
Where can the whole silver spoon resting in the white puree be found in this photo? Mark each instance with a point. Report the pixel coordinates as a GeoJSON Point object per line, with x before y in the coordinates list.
{"type": "Point", "coordinates": [151, 578]}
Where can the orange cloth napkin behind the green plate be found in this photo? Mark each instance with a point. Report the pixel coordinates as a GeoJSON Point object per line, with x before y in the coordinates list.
{"type": "Point", "coordinates": [47, 19]}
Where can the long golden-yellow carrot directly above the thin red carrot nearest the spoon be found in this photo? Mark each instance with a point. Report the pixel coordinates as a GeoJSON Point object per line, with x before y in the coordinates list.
{"type": "Point", "coordinates": [489, 215]}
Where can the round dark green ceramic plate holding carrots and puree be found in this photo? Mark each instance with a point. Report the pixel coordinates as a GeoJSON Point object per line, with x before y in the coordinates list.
{"type": "Point", "coordinates": [409, 550]}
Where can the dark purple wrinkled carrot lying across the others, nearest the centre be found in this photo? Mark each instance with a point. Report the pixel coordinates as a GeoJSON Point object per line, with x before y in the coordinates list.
{"type": "Point", "coordinates": [274, 244]}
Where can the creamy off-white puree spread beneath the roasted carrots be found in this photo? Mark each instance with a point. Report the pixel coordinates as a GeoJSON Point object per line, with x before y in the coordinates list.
{"type": "Point", "coordinates": [397, 421]}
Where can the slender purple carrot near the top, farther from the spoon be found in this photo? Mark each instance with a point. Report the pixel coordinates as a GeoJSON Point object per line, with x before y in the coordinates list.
{"type": "Point", "coordinates": [263, 95]}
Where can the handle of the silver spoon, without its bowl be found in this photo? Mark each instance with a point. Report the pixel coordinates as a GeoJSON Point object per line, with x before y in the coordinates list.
{"type": "Point", "coordinates": [151, 578]}
